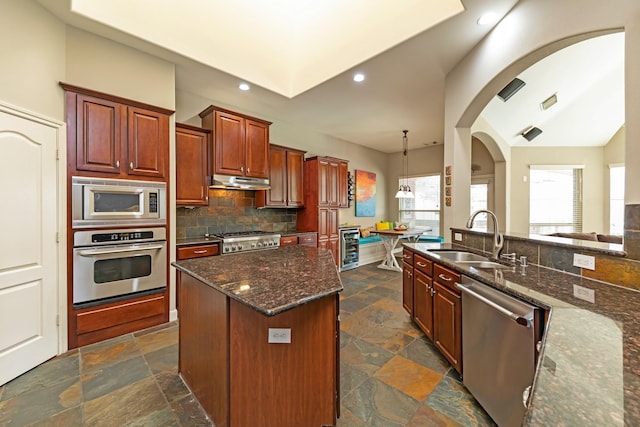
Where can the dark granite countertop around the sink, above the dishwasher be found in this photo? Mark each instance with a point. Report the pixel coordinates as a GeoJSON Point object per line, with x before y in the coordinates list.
{"type": "Point", "coordinates": [589, 369]}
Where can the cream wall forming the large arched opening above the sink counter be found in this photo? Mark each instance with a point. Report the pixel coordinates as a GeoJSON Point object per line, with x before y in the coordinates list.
{"type": "Point", "coordinates": [531, 31]}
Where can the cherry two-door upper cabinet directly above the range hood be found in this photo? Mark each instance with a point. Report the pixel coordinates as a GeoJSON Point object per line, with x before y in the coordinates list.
{"type": "Point", "coordinates": [241, 143]}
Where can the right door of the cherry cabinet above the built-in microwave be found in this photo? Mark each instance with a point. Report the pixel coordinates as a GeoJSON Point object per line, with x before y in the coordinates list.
{"type": "Point", "coordinates": [148, 141]}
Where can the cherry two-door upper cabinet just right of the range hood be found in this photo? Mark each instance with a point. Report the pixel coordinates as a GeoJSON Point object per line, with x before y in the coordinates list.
{"type": "Point", "coordinates": [286, 179]}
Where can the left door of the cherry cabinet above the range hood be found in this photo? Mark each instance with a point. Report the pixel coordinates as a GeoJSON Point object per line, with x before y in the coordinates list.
{"type": "Point", "coordinates": [229, 144]}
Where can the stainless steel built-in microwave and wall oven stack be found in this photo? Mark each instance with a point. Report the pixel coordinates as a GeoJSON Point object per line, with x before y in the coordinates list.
{"type": "Point", "coordinates": [111, 262]}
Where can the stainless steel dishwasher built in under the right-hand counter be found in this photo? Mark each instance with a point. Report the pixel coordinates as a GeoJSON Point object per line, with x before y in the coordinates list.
{"type": "Point", "coordinates": [499, 336]}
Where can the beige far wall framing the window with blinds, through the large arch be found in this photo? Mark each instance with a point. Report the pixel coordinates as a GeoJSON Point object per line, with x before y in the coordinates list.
{"type": "Point", "coordinates": [593, 202]}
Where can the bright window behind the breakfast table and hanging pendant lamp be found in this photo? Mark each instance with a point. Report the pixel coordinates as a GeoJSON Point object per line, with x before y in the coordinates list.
{"type": "Point", "coordinates": [423, 211]}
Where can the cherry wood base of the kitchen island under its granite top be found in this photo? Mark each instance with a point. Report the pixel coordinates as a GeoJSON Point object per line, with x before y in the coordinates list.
{"type": "Point", "coordinates": [241, 379]}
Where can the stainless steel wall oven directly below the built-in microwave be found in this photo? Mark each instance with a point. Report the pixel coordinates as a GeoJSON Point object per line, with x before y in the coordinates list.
{"type": "Point", "coordinates": [117, 262]}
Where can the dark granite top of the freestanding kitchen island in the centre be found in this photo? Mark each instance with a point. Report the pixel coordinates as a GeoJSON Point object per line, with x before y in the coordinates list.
{"type": "Point", "coordinates": [270, 281]}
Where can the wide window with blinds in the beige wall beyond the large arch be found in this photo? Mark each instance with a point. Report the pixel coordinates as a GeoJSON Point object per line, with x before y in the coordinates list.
{"type": "Point", "coordinates": [555, 199]}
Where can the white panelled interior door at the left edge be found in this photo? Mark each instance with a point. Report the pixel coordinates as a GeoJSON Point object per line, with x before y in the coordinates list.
{"type": "Point", "coordinates": [28, 249]}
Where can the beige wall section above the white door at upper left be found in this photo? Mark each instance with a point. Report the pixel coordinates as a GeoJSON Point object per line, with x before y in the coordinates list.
{"type": "Point", "coordinates": [32, 42]}
